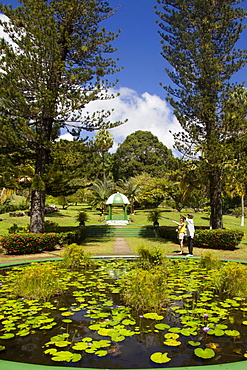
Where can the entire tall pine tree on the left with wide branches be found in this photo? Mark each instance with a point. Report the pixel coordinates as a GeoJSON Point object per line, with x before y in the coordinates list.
{"type": "Point", "coordinates": [54, 64]}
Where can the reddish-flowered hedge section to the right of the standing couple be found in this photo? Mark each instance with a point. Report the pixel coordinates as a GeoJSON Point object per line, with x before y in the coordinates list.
{"type": "Point", "coordinates": [218, 239]}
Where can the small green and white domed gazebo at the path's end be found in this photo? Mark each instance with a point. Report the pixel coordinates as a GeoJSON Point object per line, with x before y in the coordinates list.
{"type": "Point", "coordinates": [116, 200]}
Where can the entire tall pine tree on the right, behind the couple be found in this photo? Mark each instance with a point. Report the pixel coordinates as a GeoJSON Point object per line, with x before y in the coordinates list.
{"type": "Point", "coordinates": [198, 41]}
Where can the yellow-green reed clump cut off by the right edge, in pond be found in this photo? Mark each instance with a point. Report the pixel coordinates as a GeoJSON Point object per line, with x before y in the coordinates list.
{"type": "Point", "coordinates": [231, 279]}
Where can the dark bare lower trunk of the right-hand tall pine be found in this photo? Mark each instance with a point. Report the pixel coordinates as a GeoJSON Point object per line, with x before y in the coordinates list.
{"type": "Point", "coordinates": [215, 199]}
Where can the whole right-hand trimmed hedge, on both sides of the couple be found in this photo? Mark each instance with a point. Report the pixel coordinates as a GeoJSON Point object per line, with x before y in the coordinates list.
{"type": "Point", "coordinates": [204, 237]}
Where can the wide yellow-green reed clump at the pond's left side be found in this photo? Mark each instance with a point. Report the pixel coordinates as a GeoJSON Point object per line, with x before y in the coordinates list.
{"type": "Point", "coordinates": [38, 281]}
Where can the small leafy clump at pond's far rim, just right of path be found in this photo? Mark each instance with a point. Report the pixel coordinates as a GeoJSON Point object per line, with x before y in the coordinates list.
{"type": "Point", "coordinates": [150, 256]}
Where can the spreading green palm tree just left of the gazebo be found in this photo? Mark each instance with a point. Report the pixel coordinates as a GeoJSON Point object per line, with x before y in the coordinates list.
{"type": "Point", "coordinates": [100, 192]}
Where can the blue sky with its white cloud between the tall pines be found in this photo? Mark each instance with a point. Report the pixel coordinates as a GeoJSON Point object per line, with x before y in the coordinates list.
{"type": "Point", "coordinates": [142, 99]}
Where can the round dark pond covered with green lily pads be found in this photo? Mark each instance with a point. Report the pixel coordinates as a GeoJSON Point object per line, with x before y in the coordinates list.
{"type": "Point", "coordinates": [92, 325]}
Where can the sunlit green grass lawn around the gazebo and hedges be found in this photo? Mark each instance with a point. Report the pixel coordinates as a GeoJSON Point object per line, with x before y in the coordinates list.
{"type": "Point", "coordinates": [66, 219]}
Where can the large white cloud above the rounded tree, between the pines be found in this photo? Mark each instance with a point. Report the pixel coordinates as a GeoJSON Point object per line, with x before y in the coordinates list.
{"type": "Point", "coordinates": [146, 112]}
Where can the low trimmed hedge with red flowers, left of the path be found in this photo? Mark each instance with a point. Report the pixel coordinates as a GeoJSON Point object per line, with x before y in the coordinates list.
{"type": "Point", "coordinates": [29, 243]}
